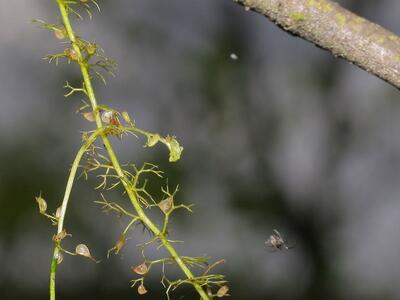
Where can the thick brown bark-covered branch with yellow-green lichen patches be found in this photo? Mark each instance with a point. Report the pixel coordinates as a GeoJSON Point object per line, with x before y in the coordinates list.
{"type": "Point", "coordinates": [343, 33]}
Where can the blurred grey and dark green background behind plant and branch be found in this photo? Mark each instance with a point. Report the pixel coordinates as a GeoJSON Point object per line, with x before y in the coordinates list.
{"type": "Point", "coordinates": [284, 137]}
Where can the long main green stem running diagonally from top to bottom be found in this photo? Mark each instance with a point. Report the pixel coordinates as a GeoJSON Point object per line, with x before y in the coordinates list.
{"type": "Point", "coordinates": [131, 194]}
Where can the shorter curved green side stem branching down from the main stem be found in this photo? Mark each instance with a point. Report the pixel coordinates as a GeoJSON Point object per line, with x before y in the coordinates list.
{"type": "Point", "coordinates": [63, 209]}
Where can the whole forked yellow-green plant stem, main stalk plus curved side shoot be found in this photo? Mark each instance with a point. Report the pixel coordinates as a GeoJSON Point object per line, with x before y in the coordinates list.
{"type": "Point", "coordinates": [76, 55]}
